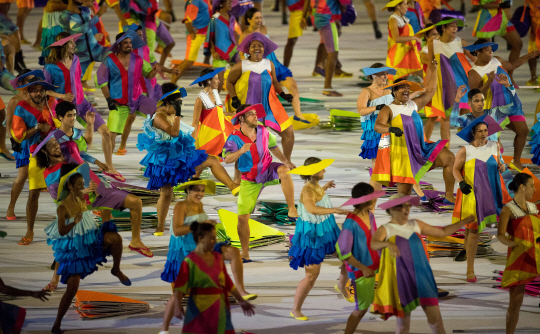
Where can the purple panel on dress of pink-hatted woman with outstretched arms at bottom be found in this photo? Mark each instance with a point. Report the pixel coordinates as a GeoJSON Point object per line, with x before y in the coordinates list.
{"type": "Point", "coordinates": [406, 276]}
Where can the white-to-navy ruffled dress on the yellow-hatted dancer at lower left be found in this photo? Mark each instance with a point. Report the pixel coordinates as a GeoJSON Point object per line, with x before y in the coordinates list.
{"type": "Point", "coordinates": [81, 250]}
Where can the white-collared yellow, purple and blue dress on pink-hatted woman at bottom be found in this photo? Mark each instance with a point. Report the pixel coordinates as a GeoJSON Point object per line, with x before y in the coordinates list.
{"type": "Point", "coordinates": [407, 281]}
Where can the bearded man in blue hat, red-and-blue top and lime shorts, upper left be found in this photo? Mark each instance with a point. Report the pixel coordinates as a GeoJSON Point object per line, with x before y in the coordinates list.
{"type": "Point", "coordinates": [119, 78]}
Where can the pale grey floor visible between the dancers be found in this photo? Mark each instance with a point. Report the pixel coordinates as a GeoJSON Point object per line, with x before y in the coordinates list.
{"type": "Point", "coordinates": [471, 308]}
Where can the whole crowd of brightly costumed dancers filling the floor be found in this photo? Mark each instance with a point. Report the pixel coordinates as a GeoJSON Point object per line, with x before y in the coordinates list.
{"type": "Point", "coordinates": [479, 98]}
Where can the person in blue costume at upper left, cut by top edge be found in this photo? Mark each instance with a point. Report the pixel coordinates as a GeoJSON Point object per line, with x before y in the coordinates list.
{"type": "Point", "coordinates": [78, 19]}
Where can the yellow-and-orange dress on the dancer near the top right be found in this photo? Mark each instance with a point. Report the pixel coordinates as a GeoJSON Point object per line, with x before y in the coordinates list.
{"type": "Point", "coordinates": [404, 57]}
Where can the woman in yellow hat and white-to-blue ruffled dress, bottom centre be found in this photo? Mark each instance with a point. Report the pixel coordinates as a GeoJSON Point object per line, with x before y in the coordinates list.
{"type": "Point", "coordinates": [316, 231]}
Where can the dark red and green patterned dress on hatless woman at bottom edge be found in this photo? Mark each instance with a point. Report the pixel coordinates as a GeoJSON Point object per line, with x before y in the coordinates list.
{"type": "Point", "coordinates": [208, 310]}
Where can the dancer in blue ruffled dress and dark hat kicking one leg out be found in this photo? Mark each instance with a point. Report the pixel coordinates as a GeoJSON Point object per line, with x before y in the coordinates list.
{"type": "Point", "coordinates": [172, 158]}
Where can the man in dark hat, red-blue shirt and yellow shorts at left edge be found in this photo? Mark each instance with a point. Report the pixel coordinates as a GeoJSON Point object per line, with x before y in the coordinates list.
{"type": "Point", "coordinates": [33, 119]}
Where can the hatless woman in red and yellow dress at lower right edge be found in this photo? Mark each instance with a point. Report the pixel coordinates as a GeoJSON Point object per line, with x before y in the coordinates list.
{"type": "Point", "coordinates": [518, 226]}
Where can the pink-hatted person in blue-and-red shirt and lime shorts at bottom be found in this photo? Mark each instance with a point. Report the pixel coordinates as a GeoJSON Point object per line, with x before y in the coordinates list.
{"type": "Point", "coordinates": [354, 249]}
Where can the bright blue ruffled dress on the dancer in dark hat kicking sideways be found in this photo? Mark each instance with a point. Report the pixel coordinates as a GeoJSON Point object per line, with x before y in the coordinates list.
{"type": "Point", "coordinates": [170, 160]}
